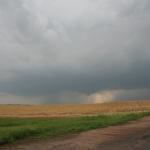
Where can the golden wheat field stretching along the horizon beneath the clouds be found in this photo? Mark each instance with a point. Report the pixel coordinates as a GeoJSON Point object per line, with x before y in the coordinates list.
{"type": "Point", "coordinates": [72, 109]}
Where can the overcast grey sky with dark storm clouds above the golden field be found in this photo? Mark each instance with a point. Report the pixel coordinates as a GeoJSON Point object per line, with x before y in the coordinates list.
{"type": "Point", "coordinates": [74, 51]}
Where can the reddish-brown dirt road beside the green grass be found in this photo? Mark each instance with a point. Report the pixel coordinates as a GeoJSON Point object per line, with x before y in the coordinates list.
{"type": "Point", "coordinates": [132, 136]}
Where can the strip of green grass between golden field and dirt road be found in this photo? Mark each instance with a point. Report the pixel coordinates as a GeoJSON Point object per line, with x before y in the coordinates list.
{"type": "Point", "coordinates": [12, 129]}
